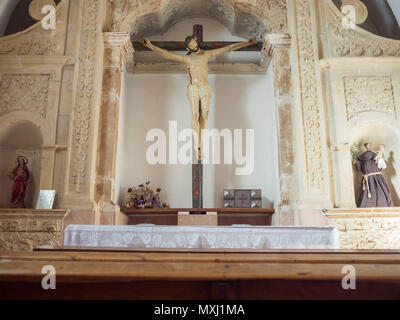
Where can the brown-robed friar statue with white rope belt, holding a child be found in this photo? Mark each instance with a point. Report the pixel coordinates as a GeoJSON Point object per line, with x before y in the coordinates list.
{"type": "Point", "coordinates": [374, 190]}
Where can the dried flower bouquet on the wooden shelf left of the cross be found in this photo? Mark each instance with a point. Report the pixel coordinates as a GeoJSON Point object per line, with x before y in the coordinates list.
{"type": "Point", "coordinates": [144, 198]}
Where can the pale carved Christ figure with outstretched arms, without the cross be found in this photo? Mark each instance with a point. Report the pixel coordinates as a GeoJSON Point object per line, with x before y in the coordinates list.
{"type": "Point", "coordinates": [198, 88]}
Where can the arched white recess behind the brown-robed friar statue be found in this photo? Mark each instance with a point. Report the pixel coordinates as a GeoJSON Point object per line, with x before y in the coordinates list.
{"type": "Point", "coordinates": [378, 133]}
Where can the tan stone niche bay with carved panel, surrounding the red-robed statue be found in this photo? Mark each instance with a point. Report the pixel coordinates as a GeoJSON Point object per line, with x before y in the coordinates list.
{"type": "Point", "coordinates": [30, 123]}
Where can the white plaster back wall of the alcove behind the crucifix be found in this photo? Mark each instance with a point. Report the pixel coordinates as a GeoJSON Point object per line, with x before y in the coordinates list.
{"type": "Point", "coordinates": [238, 102]}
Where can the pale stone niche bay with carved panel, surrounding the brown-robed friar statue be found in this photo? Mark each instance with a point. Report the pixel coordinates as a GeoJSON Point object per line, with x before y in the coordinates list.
{"type": "Point", "coordinates": [362, 96]}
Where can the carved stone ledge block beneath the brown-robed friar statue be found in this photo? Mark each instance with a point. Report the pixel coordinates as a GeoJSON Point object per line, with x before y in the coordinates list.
{"type": "Point", "coordinates": [368, 228]}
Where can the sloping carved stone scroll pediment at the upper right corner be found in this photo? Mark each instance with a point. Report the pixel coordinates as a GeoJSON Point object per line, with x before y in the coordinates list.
{"type": "Point", "coordinates": [356, 41]}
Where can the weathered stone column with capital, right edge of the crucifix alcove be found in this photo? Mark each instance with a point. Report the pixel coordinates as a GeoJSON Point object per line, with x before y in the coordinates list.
{"type": "Point", "coordinates": [279, 46]}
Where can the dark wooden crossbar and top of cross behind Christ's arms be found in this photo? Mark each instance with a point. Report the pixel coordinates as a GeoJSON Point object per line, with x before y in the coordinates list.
{"type": "Point", "coordinates": [197, 31]}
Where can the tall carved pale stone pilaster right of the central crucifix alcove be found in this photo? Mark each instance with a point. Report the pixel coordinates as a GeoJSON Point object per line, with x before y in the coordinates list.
{"type": "Point", "coordinates": [313, 169]}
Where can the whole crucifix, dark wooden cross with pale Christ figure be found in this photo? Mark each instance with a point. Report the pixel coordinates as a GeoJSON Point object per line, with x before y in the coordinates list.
{"type": "Point", "coordinates": [198, 89]}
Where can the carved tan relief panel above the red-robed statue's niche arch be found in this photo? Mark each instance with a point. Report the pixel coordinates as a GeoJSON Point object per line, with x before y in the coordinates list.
{"type": "Point", "coordinates": [24, 92]}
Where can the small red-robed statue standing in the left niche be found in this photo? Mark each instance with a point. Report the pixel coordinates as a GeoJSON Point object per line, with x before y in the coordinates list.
{"type": "Point", "coordinates": [20, 176]}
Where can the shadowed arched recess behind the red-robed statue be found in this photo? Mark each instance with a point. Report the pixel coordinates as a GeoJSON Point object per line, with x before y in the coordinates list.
{"type": "Point", "coordinates": [23, 138]}
